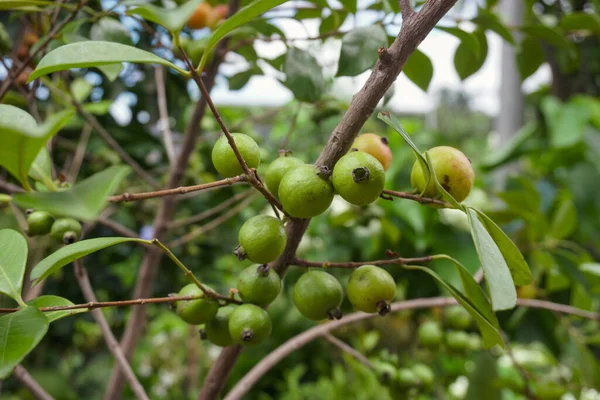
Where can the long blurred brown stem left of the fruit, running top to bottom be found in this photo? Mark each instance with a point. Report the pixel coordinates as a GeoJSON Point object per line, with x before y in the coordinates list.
{"type": "Point", "coordinates": [149, 268]}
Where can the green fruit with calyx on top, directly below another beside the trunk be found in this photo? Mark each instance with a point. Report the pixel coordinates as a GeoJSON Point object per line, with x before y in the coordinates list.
{"type": "Point", "coordinates": [259, 285]}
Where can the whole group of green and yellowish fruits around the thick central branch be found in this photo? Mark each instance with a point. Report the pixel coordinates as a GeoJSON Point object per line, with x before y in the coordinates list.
{"type": "Point", "coordinates": [306, 191]}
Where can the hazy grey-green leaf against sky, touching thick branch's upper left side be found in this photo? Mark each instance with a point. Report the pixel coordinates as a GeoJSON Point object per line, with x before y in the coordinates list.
{"type": "Point", "coordinates": [359, 50]}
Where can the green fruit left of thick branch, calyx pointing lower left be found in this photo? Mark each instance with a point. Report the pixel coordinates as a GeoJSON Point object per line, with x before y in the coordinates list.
{"type": "Point", "coordinates": [262, 239]}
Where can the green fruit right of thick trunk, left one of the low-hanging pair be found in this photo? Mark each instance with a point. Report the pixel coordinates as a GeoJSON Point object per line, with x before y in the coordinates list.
{"type": "Point", "coordinates": [318, 295]}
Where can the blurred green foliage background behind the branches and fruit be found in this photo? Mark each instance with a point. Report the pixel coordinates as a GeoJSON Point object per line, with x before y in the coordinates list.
{"type": "Point", "coordinates": [549, 208]}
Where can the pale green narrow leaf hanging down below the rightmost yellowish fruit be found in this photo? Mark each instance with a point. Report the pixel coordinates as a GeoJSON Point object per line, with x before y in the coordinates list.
{"type": "Point", "coordinates": [497, 274]}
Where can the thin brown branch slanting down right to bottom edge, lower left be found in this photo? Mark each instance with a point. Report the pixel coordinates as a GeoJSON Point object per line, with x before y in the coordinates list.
{"type": "Point", "coordinates": [111, 342]}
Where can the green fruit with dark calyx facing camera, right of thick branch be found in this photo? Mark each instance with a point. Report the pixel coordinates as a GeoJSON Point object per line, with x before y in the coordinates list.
{"type": "Point", "coordinates": [359, 178]}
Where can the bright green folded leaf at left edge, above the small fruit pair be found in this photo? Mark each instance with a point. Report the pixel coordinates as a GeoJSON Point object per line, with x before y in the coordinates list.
{"type": "Point", "coordinates": [21, 138]}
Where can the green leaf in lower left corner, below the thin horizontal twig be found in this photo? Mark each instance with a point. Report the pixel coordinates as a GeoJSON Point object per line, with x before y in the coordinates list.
{"type": "Point", "coordinates": [20, 332]}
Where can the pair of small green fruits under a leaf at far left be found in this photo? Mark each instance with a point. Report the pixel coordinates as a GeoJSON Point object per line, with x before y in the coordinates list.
{"type": "Point", "coordinates": [63, 230]}
